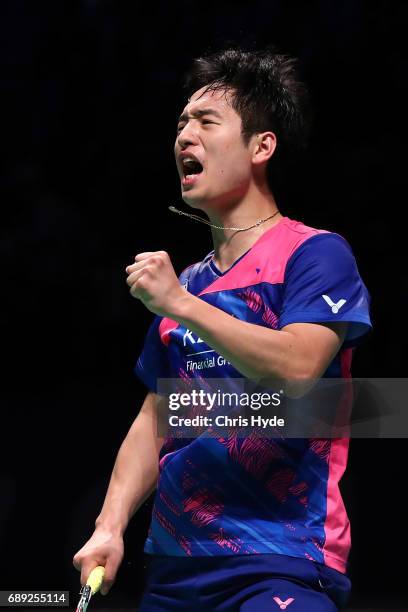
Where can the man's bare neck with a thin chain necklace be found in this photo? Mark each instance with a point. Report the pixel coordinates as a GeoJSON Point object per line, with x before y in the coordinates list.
{"type": "Point", "coordinates": [229, 245]}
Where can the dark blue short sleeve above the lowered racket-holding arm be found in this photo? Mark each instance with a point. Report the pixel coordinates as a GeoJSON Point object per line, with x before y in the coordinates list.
{"type": "Point", "coordinates": [153, 363]}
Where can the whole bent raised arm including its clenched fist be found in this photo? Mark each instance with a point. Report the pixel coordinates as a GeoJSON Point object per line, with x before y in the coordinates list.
{"type": "Point", "coordinates": [300, 352]}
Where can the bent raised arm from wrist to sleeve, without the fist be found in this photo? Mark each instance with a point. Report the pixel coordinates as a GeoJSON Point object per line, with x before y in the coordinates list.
{"type": "Point", "coordinates": [298, 352]}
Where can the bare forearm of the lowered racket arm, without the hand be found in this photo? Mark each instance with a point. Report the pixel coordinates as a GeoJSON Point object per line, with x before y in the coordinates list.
{"type": "Point", "coordinates": [135, 473]}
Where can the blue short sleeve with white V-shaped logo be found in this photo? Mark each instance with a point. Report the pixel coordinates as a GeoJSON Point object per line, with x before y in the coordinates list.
{"type": "Point", "coordinates": [322, 284]}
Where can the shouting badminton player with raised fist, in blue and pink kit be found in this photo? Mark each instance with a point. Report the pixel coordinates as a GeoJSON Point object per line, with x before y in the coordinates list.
{"type": "Point", "coordinates": [239, 524]}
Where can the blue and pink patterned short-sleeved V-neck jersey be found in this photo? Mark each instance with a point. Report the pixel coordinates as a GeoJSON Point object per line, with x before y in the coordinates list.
{"type": "Point", "coordinates": [230, 495]}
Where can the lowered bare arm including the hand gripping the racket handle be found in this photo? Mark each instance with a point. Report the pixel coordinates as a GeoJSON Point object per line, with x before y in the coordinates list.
{"type": "Point", "coordinates": [133, 479]}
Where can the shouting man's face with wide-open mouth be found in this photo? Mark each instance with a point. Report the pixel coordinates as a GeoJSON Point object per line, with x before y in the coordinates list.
{"type": "Point", "coordinates": [209, 132]}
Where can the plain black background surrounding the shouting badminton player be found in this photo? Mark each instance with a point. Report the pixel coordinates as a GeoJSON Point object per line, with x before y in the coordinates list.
{"type": "Point", "coordinates": [90, 93]}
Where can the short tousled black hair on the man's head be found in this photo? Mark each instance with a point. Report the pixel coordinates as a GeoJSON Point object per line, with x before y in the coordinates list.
{"type": "Point", "coordinates": [266, 92]}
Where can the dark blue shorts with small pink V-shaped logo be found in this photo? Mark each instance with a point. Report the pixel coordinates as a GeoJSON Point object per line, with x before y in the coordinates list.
{"type": "Point", "coordinates": [245, 583]}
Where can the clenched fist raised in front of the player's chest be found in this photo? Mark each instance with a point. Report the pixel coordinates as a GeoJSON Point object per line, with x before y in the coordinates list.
{"type": "Point", "coordinates": [152, 280]}
